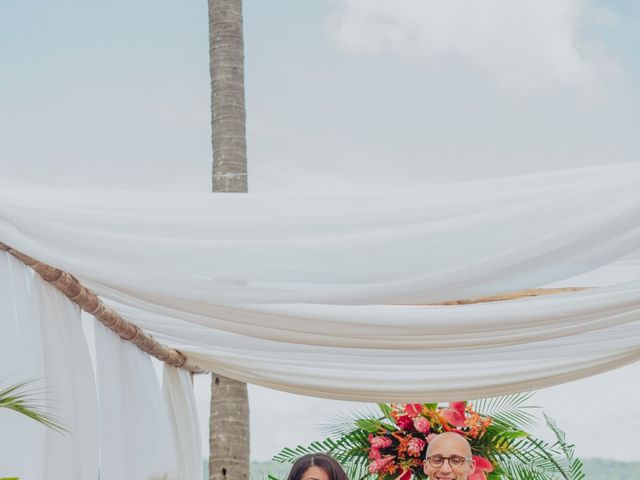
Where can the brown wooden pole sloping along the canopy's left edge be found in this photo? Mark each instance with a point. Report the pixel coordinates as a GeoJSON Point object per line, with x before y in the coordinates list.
{"type": "Point", "coordinates": [91, 303]}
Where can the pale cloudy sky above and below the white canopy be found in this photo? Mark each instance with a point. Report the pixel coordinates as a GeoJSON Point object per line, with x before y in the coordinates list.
{"type": "Point", "coordinates": [341, 95]}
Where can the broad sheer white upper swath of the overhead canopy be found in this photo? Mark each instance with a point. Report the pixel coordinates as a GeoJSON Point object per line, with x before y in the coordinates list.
{"type": "Point", "coordinates": [462, 240]}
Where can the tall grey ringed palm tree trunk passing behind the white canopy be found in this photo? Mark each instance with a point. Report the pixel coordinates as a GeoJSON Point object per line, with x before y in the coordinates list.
{"type": "Point", "coordinates": [229, 420]}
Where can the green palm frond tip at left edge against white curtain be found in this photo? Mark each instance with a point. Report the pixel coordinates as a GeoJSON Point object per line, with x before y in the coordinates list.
{"type": "Point", "coordinates": [29, 402]}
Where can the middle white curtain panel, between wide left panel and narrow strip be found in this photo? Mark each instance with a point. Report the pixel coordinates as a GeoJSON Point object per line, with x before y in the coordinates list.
{"type": "Point", "coordinates": [136, 441]}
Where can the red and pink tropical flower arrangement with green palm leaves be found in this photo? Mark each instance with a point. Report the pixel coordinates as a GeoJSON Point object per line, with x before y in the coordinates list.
{"type": "Point", "coordinates": [391, 443]}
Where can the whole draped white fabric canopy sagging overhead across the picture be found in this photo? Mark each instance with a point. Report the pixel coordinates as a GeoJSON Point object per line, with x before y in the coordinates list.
{"type": "Point", "coordinates": [329, 296]}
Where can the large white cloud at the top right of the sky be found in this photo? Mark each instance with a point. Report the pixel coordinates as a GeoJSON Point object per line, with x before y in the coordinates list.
{"type": "Point", "coordinates": [522, 46]}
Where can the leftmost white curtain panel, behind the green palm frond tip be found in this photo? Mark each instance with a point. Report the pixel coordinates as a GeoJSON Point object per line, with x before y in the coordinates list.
{"type": "Point", "coordinates": [42, 339]}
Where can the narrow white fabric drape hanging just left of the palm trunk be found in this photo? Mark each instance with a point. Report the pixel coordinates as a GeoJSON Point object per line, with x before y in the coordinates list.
{"type": "Point", "coordinates": [179, 397]}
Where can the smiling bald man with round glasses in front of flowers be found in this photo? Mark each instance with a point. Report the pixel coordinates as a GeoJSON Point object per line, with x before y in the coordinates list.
{"type": "Point", "coordinates": [448, 458]}
